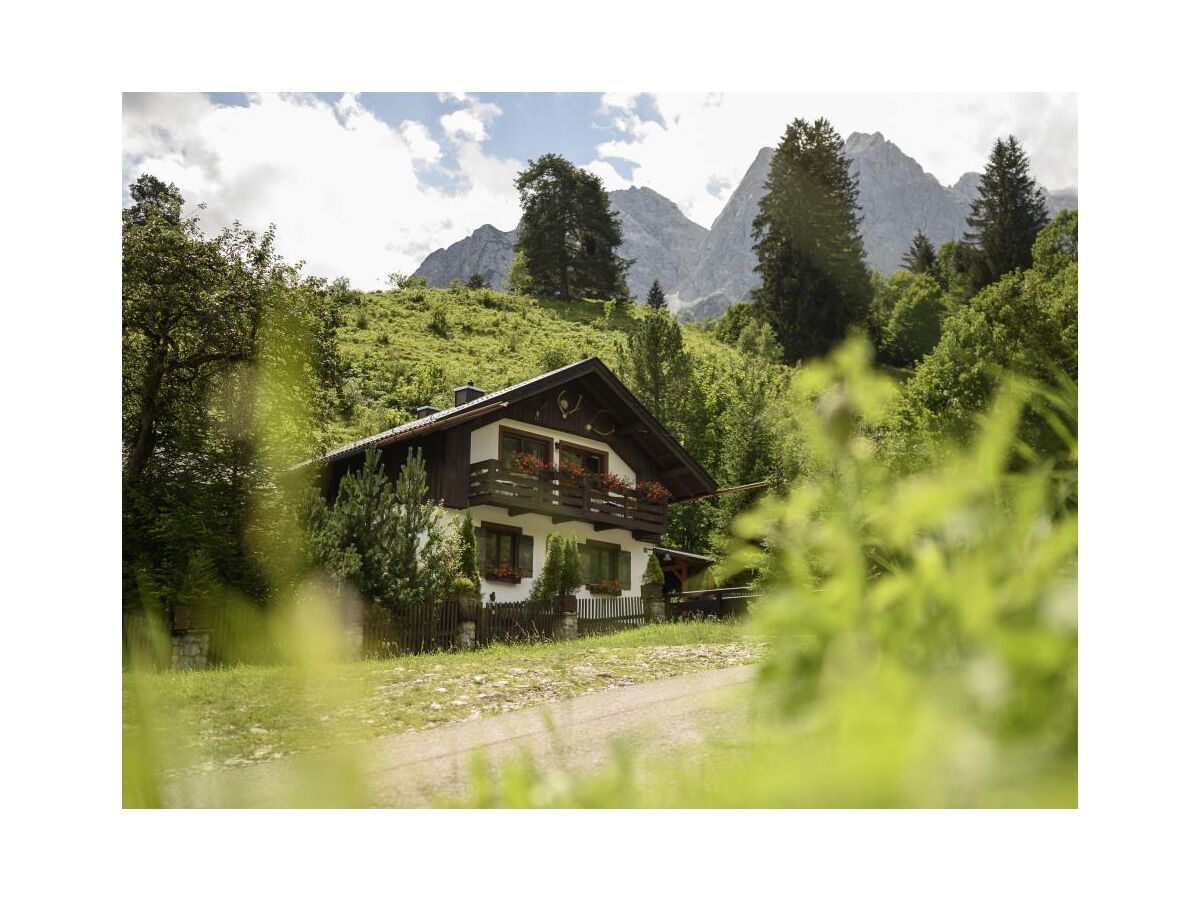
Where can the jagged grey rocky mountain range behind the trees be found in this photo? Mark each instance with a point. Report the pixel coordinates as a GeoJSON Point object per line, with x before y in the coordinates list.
{"type": "Point", "coordinates": [706, 271]}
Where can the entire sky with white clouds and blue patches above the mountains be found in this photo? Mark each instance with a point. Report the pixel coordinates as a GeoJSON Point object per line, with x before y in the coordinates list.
{"type": "Point", "coordinates": [368, 184]}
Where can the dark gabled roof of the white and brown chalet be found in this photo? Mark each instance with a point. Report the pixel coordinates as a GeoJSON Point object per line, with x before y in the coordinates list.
{"type": "Point", "coordinates": [680, 472]}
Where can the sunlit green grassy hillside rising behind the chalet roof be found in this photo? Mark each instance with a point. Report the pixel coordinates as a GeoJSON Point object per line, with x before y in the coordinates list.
{"type": "Point", "coordinates": [406, 349]}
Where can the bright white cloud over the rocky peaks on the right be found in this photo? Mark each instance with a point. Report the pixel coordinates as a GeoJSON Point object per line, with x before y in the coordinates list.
{"type": "Point", "coordinates": [709, 142]}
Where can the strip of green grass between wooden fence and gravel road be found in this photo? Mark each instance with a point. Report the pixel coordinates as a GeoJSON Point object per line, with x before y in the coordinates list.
{"type": "Point", "coordinates": [217, 719]}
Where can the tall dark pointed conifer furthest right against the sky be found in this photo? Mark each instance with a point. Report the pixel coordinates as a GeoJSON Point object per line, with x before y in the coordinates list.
{"type": "Point", "coordinates": [1009, 213]}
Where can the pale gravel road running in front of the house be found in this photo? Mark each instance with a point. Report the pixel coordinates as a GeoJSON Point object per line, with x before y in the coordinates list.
{"type": "Point", "coordinates": [422, 769]}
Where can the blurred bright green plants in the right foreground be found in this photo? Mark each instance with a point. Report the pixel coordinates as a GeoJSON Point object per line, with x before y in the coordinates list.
{"type": "Point", "coordinates": [923, 646]}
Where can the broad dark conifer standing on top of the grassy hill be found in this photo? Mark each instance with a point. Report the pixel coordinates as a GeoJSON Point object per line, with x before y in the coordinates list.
{"type": "Point", "coordinates": [569, 233]}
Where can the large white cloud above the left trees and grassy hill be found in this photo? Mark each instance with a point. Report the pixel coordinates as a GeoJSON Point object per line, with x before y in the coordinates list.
{"type": "Point", "coordinates": [341, 184]}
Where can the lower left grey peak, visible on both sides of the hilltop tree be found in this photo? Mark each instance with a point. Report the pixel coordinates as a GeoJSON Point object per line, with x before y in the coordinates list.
{"type": "Point", "coordinates": [663, 243]}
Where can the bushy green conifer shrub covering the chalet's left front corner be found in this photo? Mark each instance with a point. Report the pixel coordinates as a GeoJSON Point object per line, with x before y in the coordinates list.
{"type": "Point", "coordinates": [382, 537]}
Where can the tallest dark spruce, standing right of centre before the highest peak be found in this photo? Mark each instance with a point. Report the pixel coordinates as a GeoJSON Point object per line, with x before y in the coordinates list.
{"type": "Point", "coordinates": [815, 284]}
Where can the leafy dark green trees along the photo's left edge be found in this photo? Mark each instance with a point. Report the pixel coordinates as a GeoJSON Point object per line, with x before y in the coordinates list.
{"type": "Point", "coordinates": [211, 327]}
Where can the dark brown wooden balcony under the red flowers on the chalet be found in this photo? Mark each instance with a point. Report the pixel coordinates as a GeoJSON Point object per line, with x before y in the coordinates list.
{"type": "Point", "coordinates": [566, 499]}
